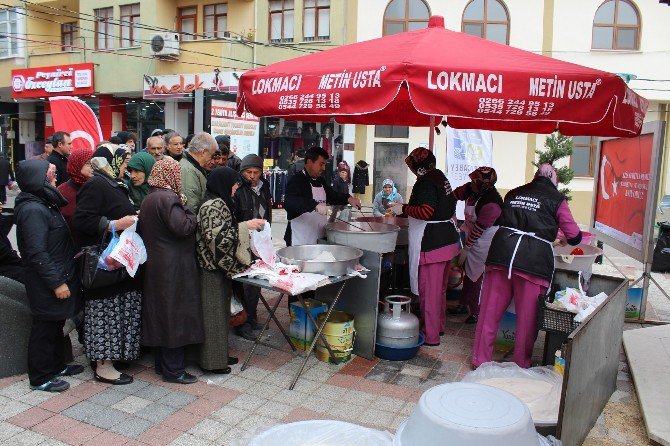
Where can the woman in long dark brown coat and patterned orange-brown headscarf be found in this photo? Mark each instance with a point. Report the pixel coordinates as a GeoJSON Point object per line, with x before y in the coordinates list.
{"type": "Point", "coordinates": [172, 310]}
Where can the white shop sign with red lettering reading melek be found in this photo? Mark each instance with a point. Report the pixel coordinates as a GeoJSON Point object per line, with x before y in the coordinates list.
{"type": "Point", "coordinates": [182, 85]}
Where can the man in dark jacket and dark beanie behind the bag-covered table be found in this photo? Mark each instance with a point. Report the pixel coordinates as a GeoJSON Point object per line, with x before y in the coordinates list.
{"type": "Point", "coordinates": [252, 200]}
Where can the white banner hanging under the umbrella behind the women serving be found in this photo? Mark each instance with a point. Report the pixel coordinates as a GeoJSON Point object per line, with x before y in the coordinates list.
{"type": "Point", "coordinates": [466, 151]}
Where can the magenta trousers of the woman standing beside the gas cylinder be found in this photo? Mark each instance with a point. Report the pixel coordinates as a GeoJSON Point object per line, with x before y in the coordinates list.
{"type": "Point", "coordinates": [433, 280]}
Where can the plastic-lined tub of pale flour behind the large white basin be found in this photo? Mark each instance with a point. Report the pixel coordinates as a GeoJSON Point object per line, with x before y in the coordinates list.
{"type": "Point", "coordinates": [538, 387]}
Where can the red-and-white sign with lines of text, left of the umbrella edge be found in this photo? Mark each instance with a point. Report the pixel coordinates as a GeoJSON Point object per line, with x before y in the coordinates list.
{"type": "Point", "coordinates": [243, 130]}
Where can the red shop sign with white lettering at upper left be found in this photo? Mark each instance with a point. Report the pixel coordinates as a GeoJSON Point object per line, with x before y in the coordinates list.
{"type": "Point", "coordinates": [57, 80]}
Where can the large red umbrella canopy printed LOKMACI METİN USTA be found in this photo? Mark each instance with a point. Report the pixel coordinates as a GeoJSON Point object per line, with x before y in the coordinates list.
{"type": "Point", "coordinates": [416, 78]}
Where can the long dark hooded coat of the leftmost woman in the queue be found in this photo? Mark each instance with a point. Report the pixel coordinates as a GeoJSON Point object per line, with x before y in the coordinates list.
{"type": "Point", "coordinates": [46, 246]}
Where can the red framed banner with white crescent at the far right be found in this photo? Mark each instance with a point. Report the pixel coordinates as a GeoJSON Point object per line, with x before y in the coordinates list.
{"type": "Point", "coordinates": [623, 184]}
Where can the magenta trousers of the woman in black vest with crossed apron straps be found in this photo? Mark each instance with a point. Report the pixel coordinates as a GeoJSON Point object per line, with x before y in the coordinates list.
{"type": "Point", "coordinates": [497, 293]}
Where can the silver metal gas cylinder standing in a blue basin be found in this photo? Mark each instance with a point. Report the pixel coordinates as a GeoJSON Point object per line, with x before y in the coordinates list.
{"type": "Point", "coordinates": [395, 327]}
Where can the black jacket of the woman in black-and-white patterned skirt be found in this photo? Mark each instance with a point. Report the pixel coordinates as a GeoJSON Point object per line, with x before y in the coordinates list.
{"type": "Point", "coordinates": [100, 200]}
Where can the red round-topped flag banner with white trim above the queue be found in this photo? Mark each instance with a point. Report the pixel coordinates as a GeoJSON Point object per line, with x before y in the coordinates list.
{"type": "Point", "coordinates": [74, 116]}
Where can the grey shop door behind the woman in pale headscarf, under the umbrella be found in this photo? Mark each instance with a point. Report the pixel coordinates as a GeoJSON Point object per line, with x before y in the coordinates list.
{"type": "Point", "coordinates": [389, 162]}
